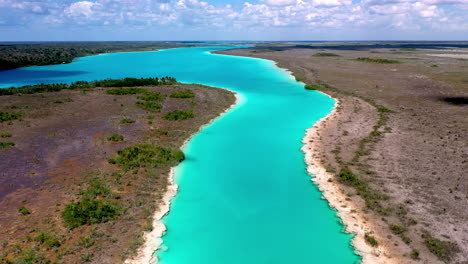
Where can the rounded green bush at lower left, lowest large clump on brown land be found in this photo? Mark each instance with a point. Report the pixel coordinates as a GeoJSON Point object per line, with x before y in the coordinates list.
{"type": "Point", "coordinates": [89, 212]}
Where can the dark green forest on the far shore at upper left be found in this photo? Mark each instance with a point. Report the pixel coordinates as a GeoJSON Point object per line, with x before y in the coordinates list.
{"type": "Point", "coordinates": [20, 55]}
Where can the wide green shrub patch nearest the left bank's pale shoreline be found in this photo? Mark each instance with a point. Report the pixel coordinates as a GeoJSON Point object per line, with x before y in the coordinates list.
{"type": "Point", "coordinates": [147, 155]}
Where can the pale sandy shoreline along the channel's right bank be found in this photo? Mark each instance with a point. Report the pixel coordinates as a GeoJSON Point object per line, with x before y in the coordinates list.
{"type": "Point", "coordinates": [351, 216]}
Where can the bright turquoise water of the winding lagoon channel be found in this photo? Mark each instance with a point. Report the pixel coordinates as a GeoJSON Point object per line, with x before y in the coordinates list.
{"type": "Point", "coordinates": [244, 194]}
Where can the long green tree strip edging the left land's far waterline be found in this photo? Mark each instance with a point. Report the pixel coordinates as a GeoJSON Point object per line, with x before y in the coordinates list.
{"type": "Point", "coordinates": [84, 85]}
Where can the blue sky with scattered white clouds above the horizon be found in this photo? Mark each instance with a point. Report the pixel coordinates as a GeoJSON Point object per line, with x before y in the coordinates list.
{"type": "Point", "coordinates": [71, 20]}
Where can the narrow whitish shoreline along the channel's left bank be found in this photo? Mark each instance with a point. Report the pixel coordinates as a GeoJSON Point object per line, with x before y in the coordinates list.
{"type": "Point", "coordinates": [153, 239]}
